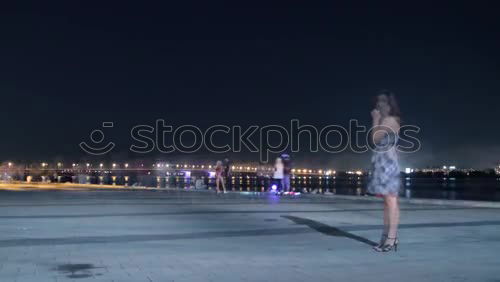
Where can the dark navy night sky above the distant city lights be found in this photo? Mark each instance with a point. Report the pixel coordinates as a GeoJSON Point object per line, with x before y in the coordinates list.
{"type": "Point", "coordinates": [67, 68]}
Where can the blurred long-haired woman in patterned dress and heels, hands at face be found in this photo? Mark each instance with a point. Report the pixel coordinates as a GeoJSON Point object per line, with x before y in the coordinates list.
{"type": "Point", "coordinates": [385, 180]}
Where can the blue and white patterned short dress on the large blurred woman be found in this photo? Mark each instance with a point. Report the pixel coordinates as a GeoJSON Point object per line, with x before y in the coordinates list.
{"type": "Point", "coordinates": [385, 178]}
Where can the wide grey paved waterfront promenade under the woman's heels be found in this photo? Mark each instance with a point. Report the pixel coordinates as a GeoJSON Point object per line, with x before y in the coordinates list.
{"type": "Point", "coordinates": [158, 235]}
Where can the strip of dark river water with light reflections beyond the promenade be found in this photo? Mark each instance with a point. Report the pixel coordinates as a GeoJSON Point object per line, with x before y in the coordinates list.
{"type": "Point", "coordinates": [438, 188]}
